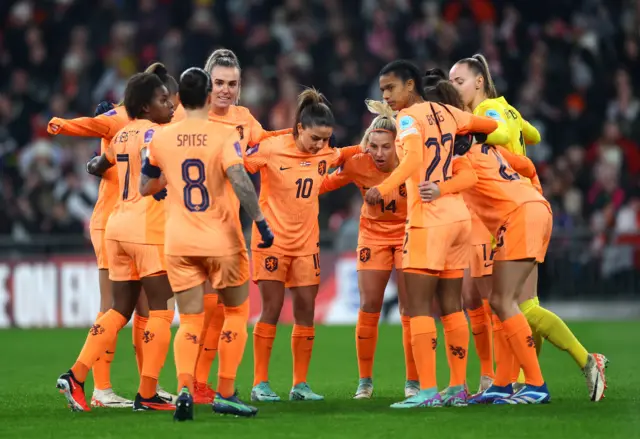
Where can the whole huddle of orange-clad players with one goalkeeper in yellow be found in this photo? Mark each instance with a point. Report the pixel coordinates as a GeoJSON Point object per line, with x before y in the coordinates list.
{"type": "Point", "coordinates": [442, 169]}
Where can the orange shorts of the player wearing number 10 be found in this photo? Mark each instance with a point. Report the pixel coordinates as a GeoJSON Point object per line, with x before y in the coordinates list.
{"type": "Point", "coordinates": [293, 271]}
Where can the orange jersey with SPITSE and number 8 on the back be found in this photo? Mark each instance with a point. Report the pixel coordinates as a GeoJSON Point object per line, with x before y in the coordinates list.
{"type": "Point", "coordinates": [202, 210]}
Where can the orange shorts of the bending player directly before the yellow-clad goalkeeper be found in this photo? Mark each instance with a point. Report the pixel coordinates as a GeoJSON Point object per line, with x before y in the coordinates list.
{"type": "Point", "coordinates": [525, 234]}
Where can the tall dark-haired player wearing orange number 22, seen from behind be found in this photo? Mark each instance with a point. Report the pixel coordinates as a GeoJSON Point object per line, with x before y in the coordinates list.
{"type": "Point", "coordinates": [435, 249]}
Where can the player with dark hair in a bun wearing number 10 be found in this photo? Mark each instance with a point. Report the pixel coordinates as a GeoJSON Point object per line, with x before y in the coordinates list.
{"type": "Point", "coordinates": [292, 168]}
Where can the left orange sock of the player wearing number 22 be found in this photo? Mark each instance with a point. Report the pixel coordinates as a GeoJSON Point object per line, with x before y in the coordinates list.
{"type": "Point", "coordinates": [424, 340]}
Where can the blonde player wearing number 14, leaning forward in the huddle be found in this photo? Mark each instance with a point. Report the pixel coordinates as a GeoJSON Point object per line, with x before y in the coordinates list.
{"type": "Point", "coordinates": [380, 238]}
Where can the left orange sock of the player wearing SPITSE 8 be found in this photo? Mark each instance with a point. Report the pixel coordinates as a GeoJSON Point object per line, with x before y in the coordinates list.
{"type": "Point", "coordinates": [185, 348]}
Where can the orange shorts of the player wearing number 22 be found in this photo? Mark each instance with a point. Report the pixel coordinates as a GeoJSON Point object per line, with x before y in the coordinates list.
{"type": "Point", "coordinates": [437, 248]}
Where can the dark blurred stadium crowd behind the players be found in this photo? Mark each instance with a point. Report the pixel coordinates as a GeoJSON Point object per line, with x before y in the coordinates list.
{"type": "Point", "coordinates": [571, 67]}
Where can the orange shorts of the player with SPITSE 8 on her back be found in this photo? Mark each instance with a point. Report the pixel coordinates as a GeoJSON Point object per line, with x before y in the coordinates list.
{"type": "Point", "coordinates": [222, 271]}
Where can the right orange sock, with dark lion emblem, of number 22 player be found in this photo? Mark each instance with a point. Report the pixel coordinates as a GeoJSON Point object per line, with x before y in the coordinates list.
{"type": "Point", "coordinates": [456, 337]}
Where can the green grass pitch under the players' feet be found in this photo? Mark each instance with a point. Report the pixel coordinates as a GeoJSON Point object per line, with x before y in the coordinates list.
{"type": "Point", "coordinates": [30, 406]}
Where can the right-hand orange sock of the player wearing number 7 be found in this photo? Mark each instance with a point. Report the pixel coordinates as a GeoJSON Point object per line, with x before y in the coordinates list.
{"type": "Point", "coordinates": [156, 340]}
